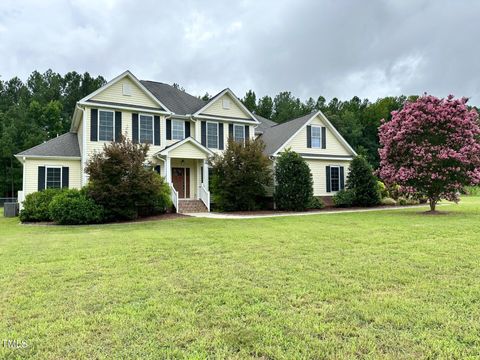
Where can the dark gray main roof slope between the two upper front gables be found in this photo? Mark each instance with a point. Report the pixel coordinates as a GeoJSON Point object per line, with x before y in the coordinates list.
{"type": "Point", "coordinates": [174, 99]}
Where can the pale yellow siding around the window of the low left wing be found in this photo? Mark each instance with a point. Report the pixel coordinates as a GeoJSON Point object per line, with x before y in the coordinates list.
{"type": "Point", "coordinates": [31, 172]}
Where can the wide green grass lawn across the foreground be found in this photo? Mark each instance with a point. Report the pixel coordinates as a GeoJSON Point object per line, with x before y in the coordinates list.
{"type": "Point", "coordinates": [391, 284]}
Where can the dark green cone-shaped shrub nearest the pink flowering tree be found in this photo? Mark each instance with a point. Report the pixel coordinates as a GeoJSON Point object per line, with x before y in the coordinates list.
{"type": "Point", "coordinates": [362, 183]}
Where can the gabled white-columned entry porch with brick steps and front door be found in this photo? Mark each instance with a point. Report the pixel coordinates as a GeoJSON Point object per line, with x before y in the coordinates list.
{"type": "Point", "coordinates": [185, 168]}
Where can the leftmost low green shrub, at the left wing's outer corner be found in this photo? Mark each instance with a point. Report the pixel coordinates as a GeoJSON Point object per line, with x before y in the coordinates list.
{"type": "Point", "coordinates": [35, 205]}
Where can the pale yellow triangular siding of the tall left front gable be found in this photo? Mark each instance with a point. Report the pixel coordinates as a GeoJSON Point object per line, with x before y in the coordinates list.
{"type": "Point", "coordinates": [114, 93]}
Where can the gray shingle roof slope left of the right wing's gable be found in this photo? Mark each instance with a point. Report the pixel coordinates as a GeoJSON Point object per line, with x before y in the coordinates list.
{"type": "Point", "coordinates": [277, 135]}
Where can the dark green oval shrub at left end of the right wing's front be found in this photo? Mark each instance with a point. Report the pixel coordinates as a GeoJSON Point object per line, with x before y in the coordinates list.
{"type": "Point", "coordinates": [294, 182]}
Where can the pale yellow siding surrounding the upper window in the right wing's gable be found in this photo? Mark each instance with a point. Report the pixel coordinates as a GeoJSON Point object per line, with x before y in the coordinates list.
{"type": "Point", "coordinates": [334, 147]}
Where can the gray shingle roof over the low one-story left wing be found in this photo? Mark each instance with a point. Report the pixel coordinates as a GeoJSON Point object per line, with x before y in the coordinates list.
{"type": "Point", "coordinates": [65, 145]}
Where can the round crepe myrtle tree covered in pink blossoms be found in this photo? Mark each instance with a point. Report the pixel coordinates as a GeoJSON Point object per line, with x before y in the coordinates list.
{"type": "Point", "coordinates": [431, 148]}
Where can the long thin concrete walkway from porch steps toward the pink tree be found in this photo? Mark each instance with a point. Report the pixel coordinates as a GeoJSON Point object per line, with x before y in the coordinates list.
{"type": "Point", "coordinates": [213, 215]}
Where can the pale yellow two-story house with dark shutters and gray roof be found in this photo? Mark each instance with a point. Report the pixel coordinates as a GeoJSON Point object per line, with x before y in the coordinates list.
{"type": "Point", "coordinates": [184, 132]}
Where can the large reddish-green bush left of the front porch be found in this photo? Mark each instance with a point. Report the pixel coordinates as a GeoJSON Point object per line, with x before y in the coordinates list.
{"type": "Point", "coordinates": [121, 183]}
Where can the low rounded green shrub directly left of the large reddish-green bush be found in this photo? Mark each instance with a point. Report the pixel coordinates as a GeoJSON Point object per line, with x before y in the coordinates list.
{"type": "Point", "coordinates": [74, 207]}
